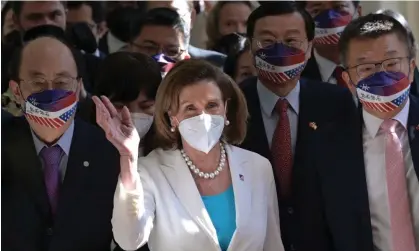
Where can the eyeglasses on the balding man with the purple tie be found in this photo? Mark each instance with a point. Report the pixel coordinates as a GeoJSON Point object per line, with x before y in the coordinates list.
{"type": "Point", "coordinates": [38, 84]}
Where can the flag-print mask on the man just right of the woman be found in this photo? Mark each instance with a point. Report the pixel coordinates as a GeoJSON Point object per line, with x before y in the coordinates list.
{"type": "Point", "coordinates": [279, 63]}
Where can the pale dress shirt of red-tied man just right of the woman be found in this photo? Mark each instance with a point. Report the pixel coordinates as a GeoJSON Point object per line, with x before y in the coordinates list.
{"type": "Point", "coordinates": [270, 116]}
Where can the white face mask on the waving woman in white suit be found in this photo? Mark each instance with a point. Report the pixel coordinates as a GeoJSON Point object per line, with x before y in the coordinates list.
{"type": "Point", "coordinates": [202, 132]}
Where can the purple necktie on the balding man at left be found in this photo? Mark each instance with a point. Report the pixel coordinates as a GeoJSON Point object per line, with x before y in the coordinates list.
{"type": "Point", "coordinates": [52, 157]}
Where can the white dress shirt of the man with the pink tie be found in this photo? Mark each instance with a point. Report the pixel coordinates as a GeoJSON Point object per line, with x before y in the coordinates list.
{"type": "Point", "coordinates": [374, 157]}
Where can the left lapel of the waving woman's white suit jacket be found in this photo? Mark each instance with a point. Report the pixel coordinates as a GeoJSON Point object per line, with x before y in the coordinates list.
{"type": "Point", "coordinates": [178, 175]}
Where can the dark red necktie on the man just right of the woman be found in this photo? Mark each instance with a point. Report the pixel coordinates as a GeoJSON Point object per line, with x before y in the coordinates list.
{"type": "Point", "coordinates": [282, 149]}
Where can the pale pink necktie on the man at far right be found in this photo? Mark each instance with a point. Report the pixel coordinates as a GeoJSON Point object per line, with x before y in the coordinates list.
{"type": "Point", "coordinates": [400, 215]}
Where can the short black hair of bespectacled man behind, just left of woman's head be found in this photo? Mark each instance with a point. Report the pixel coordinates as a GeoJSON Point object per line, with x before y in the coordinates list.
{"type": "Point", "coordinates": [161, 17]}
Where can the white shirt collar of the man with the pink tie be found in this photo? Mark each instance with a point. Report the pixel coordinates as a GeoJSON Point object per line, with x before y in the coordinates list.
{"type": "Point", "coordinates": [373, 124]}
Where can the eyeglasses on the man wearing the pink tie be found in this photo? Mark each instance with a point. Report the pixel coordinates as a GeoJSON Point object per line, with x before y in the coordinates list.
{"type": "Point", "coordinates": [388, 65]}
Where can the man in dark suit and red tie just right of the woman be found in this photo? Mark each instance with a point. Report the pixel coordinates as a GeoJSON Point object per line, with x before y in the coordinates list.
{"type": "Point", "coordinates": [292, 120]}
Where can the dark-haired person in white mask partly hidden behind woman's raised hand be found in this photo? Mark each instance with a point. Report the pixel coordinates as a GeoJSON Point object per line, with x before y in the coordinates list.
{"type": "Point", "coordinates": [131, 80]}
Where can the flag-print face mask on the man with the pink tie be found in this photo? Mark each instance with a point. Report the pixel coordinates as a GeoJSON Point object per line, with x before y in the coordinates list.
{"type": "Point", "coordinates": [383, 91]}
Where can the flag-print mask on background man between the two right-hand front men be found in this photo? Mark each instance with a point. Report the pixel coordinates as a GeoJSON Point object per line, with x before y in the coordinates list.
{"type": "Point", "coordinates": [330, 25]}
